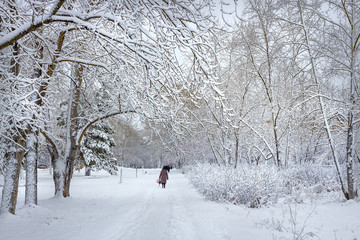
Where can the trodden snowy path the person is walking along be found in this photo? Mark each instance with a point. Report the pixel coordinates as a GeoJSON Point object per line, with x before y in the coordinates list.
{"type": "Point", "coordinates": [177, 212]}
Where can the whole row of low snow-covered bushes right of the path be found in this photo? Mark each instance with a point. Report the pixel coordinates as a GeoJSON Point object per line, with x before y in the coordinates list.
{"type": "Point", "coordinates": [256, 186]}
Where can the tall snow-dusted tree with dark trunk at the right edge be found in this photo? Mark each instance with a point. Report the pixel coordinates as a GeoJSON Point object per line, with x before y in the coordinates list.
{"type": "Point", "coordinates": [342, 49]}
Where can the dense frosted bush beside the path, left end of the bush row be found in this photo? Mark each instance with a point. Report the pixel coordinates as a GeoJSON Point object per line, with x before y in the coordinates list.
{"type": "Point", "coordinates": [250, 185]}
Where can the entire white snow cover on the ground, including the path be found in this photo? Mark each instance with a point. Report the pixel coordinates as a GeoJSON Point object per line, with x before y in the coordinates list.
{"type": "Point", "coordinates": [101, 208]}
